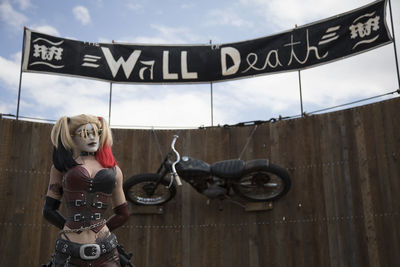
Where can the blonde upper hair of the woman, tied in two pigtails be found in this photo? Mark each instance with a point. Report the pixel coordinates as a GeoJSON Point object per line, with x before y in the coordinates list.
{"type": "Point", "coordinates": [65, 127]}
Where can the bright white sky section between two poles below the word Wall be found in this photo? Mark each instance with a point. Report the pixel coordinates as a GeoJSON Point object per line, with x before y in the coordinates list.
{"type": "Point", "coordinates": [160, 106]}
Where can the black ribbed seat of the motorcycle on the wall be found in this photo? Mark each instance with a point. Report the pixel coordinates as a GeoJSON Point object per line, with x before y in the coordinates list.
{"type": "Point", "coordinates": [232, 168]}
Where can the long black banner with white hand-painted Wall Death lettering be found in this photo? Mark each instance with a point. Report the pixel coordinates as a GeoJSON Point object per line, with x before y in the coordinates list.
{"type": "Point", "coordinates": [347, 34]}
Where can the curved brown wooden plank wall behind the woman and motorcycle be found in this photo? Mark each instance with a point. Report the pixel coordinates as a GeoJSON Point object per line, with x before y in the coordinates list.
{"type": "Point", "coordinates": [343, 208]}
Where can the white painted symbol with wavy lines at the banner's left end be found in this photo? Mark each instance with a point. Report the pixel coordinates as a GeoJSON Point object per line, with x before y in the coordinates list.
{"type": "Point", "coordinates": [47, 53]}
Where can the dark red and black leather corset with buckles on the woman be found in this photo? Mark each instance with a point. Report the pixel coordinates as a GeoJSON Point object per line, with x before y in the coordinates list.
{"type": "Point", "coordinates": [87, 198]}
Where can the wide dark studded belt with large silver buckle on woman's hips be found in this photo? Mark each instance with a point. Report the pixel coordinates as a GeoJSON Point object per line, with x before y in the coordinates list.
{"type": "Point", "coordinates": [86, 251]}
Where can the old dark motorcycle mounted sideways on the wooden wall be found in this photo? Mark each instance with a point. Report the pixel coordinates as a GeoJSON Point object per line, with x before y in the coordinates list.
{"type": "Point", "coordinates": [255, 180]}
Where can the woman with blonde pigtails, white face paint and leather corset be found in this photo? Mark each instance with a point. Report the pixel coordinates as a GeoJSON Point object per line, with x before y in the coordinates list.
{"type": "Point", "coordinates": [86, 174]}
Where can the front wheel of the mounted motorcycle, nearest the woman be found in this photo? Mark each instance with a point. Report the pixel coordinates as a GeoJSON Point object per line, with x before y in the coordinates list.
{"type": "Point", "coordinates": [139, 189]}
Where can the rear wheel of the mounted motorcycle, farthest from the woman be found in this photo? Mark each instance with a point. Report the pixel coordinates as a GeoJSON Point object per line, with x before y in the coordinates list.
{"type": "Point", "coordinates": [262, 181]}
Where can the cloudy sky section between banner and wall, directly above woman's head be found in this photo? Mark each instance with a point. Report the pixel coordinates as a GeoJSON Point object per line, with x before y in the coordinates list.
{"type": "Point", "coordinates": [57, 95]}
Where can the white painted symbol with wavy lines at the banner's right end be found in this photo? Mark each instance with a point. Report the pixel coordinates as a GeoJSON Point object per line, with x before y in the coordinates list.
{"type": "Point", "coordinates": [362, 30]}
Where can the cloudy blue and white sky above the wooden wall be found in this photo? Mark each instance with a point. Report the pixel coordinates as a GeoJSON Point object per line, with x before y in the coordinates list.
{"type": "Point", "coordinates": [185, 22]}
